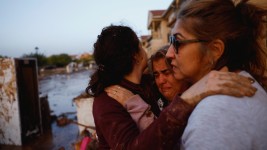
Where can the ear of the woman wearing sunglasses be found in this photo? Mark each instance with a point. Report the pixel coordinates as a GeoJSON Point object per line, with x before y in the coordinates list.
{"type": "Point", "coordinates": [217, 48]}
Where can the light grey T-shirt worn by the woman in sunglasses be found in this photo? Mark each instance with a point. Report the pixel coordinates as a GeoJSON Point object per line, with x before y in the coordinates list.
{"type": "Point", "coordinates": [220, 119]}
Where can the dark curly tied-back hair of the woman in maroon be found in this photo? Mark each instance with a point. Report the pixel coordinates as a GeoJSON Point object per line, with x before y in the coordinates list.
{"type": "Point", "coordinates": [114, 53]}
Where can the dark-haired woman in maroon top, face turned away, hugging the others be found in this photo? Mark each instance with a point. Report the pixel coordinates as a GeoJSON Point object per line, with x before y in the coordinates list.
{"type": "Point", "coordinates": [122, 60]}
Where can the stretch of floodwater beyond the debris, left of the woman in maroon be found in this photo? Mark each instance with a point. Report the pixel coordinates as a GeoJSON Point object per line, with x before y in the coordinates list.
{"type": "Point", "coordinates": [62, 88]}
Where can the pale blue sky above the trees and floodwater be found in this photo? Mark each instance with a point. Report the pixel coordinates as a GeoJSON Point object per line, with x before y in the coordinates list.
{"type": "Point", "coordinates": [67, 26]}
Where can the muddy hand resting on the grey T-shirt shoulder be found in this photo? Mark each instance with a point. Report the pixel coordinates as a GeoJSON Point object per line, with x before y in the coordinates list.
{"type": "Point", "coordinates": [219, 82]}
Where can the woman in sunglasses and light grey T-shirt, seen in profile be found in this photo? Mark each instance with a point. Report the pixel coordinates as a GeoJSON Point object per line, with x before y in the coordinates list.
{"type": "Point", "coordinates": [210, 34]}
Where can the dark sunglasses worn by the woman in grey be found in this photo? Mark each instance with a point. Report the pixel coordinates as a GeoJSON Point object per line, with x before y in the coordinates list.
{"type": "Point", "coordinates": [177, 43]}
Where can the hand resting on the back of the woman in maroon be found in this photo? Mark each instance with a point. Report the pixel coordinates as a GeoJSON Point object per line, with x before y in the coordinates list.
{"type": "Point", "coordinates": [119, 93]}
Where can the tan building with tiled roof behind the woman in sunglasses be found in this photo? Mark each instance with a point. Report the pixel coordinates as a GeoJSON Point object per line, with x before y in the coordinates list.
{"type": "Point", "coordinates": [160, 23]}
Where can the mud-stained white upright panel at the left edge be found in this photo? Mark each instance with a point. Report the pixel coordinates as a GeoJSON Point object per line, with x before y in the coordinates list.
{"type": "Point", "coordinates": [10, 128]}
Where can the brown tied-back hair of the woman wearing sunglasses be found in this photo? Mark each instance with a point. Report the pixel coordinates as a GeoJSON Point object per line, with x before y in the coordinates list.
{"type": "Point", "coordinates": [240, 26]}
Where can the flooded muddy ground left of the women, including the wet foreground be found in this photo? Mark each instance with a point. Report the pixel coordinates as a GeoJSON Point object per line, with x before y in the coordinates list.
{"type": "Point", "coordinates": [60, 89]}
